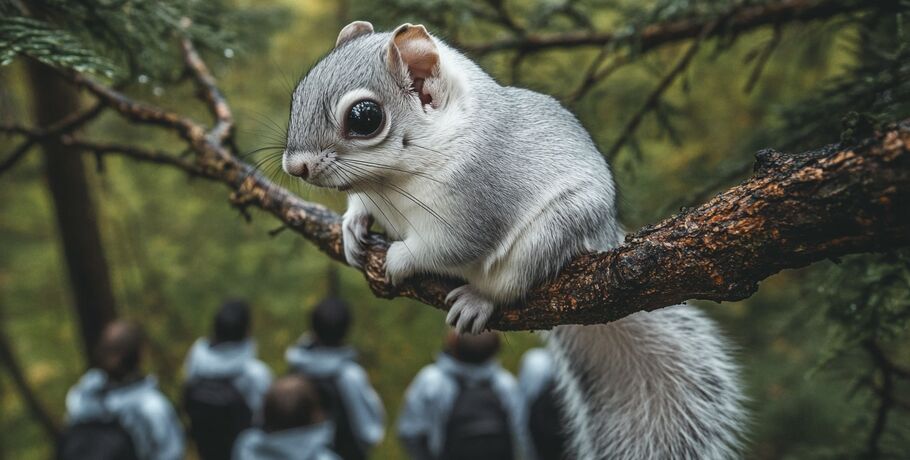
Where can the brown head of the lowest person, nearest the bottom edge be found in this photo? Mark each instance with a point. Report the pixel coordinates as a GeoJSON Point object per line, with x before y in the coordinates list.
{"type": "Point", "coordinates": [291, 402]}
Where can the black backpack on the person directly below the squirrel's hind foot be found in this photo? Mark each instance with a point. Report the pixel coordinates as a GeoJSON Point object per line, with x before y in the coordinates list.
{"type": "Point", "coordinates": [478, 427]}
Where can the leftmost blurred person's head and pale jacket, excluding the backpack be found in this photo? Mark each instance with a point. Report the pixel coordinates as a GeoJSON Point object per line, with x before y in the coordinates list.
{"type": "Point", "coordinates": [117, 388]}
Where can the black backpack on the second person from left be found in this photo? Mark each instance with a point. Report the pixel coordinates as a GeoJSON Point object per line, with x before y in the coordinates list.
{"type": "Point", "coordinates": [217, 413]}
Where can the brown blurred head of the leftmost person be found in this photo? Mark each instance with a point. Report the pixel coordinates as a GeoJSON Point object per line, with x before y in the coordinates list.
{"type": "Point", "coordinates": [119, 351]}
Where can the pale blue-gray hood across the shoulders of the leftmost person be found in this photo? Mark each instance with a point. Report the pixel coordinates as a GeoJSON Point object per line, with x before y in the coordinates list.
{"type": "Point", "coordinates": [93, 398]}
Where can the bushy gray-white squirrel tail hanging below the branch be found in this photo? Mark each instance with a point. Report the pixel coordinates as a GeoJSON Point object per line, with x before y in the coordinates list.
{"type": "Point", "coordinates": [658, 385]}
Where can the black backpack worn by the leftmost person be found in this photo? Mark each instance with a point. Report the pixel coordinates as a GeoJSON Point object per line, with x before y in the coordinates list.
{"type": "Point", "coordinates": [96, 440]}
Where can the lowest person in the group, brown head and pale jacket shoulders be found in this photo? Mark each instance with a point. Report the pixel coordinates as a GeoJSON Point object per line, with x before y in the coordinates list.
{"type": "Point", "coordinates": [294, 426]}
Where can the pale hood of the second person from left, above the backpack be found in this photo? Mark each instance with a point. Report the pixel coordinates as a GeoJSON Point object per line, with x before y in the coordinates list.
{"type": "Point", "coordinates": [221, 360]}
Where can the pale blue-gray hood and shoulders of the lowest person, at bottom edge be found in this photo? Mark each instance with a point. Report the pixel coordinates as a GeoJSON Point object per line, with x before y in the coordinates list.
{"type": "Point", "coordinates": [302, 443]}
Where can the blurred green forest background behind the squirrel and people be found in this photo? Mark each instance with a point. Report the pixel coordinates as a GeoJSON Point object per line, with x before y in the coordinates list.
{"type": "Point", "coordinates": [824, 350]}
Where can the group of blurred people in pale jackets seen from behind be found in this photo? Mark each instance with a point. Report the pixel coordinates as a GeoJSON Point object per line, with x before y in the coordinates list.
{"type": "Point", "coordinates": [462, 406]}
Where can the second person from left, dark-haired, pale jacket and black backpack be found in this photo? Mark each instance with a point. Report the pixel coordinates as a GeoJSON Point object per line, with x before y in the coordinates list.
{"type": "Point", "coordinates": [225, 383]}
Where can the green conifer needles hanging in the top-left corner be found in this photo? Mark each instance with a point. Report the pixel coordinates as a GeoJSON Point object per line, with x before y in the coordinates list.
{"type": "Point", "coordinates": [128, 38]}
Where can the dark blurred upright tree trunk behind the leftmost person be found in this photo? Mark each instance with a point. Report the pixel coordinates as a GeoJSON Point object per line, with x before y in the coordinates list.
{"type": "Point", "coordinates": [53, 99]}
